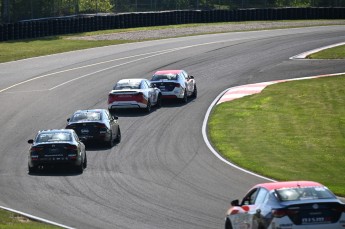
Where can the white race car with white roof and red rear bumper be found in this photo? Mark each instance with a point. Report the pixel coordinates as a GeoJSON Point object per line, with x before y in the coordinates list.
{"type": "Point", "coordinates": [134, 93]}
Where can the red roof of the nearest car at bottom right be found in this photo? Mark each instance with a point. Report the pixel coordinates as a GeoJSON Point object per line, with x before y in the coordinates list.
{"type": "Point", "coordinates": [288, 184]}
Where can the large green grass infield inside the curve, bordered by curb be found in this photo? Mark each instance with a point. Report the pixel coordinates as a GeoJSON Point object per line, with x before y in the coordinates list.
{"type": "Point", "coordinates": [290, 131]}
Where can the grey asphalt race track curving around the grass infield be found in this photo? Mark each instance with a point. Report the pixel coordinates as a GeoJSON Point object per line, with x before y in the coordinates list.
{"type": "Point", "coordinates": [162, 174]}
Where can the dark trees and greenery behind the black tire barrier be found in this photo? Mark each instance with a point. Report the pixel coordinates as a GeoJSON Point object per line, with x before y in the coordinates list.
{"type": "Point", "coordinates": [17, 10]}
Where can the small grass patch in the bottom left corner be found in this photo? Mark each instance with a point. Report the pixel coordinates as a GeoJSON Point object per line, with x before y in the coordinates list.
{"type": "Point", "coordinates": [10, 220]}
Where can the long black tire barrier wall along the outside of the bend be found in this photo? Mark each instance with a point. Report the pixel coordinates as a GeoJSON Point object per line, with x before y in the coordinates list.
{"type": "Point", "coordinates": [85, 23]}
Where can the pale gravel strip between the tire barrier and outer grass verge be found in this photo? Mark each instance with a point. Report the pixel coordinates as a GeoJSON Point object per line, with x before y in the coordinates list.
{"type": "Point", "coordinates": [195, 29]}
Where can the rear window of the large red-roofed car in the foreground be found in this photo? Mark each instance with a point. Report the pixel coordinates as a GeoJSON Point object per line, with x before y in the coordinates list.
{"type": "Point", "coordinates": [303, 193]}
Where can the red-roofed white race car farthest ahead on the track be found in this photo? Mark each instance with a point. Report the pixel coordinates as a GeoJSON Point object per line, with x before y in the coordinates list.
{"type": "Point", "coordinates": [175, 84]}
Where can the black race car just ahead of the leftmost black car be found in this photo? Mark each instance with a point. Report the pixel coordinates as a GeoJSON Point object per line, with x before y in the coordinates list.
{"type": "Point", "coordinates": [95, 125]}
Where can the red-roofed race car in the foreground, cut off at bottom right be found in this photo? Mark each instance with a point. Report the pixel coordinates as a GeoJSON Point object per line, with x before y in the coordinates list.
{"type": "Point", "coordinates": [287, 205]}
